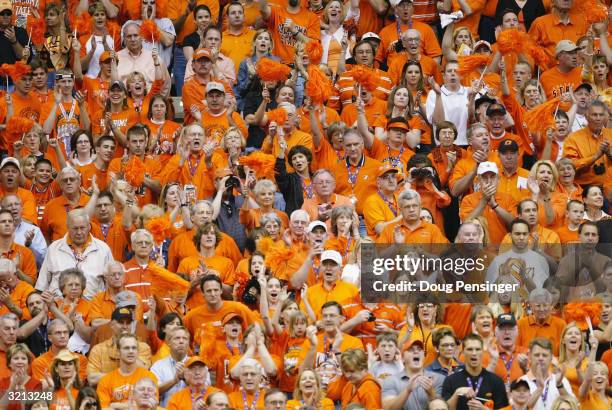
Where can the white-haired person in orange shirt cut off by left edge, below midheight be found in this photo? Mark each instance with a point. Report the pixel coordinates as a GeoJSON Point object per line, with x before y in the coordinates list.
{"type": "Point", "coordinates": [13, 290]}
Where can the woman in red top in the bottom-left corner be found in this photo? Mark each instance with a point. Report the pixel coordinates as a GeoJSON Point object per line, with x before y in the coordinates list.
{"type": "Point", "coordinates": [18, 360]}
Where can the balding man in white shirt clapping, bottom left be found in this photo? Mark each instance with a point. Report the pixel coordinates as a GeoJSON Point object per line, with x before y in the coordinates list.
{"type": "Point", "coordinates": [170, 370]}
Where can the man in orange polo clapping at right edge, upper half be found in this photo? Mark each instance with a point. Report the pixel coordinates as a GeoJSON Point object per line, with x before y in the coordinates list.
{"type": "Point", "coordinates": [590, 148]}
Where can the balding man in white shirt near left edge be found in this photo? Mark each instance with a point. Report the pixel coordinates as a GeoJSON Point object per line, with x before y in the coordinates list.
{"type": "Point", "coordinates": [26, 233]}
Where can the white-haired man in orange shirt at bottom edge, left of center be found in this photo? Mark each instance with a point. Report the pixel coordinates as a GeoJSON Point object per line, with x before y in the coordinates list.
{"type": "Point", "coordinates": [251, 378]}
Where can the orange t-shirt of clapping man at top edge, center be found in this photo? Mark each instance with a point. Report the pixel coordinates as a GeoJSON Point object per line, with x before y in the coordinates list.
{"type": "Point", "coordinates": [284, 41]}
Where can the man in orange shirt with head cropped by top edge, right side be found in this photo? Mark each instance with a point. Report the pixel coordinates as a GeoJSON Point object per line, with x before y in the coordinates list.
{"type": "Point", "coordinates": [550, 29]}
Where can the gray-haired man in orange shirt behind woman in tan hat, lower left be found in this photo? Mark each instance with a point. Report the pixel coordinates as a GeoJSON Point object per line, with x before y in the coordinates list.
{"type": "Point", "coordinates": [59, 334]}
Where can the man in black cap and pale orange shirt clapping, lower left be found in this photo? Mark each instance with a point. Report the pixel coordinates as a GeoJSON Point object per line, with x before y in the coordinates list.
{"type": "Point", "coordinates": [108, 356]}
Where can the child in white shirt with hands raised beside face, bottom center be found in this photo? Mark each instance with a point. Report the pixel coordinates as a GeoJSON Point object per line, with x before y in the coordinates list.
{"type": "Point", "coordinates": [386, 360]}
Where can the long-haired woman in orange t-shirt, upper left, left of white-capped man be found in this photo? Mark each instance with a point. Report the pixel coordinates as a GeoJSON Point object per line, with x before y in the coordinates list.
{"type": "Point", "coordinates": [163, 130]}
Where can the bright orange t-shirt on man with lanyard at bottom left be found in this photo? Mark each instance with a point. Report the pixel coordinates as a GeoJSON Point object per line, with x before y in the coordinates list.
{"type": "Point", "coordinates": [115, 387]}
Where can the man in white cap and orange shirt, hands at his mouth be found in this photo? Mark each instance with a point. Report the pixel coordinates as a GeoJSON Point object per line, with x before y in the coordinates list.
{"type": "Point", "coordinates": [496, 207]}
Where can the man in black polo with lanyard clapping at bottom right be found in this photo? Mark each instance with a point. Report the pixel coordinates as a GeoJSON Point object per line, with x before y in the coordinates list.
{"type": "Point", "coordinates": [473, 386]}
